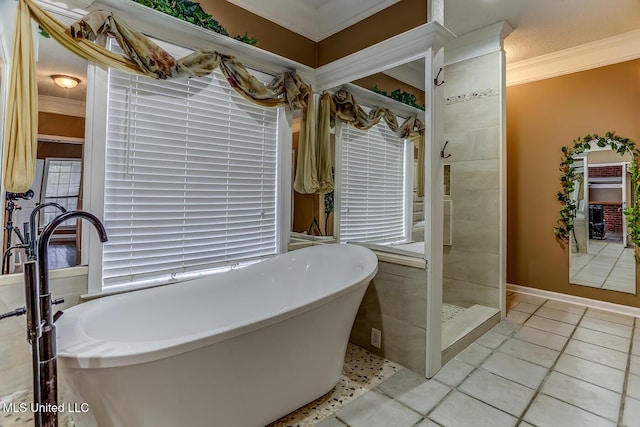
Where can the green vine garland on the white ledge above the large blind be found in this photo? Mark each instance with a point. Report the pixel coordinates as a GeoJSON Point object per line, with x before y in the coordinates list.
{"type": "Point", "coordinates": [193, 13]}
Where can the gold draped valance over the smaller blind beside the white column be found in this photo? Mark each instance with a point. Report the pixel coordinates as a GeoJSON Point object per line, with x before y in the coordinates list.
{"type": "Point", "coordinates": [343, 106]}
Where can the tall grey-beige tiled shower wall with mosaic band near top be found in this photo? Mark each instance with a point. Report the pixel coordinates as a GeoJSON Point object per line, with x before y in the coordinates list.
{"type": "Point", "coordinates": [473, 102]}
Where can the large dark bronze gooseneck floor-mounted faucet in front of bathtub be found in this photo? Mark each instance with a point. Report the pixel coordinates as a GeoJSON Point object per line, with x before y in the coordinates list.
{"type": "Point", "coordinates": [47, 366]}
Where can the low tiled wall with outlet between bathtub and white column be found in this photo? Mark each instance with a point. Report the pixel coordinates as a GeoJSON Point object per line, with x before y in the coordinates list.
{"type": "Point", "coordinates": [395, 303]}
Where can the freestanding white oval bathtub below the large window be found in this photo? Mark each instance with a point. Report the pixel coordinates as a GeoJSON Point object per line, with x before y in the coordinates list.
{"type": "Point", "coordinates": [237, 349]}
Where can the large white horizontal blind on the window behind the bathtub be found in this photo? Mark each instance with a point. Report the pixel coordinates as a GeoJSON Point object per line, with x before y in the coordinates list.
{"type": "Point", "coordinates": [191, 178]}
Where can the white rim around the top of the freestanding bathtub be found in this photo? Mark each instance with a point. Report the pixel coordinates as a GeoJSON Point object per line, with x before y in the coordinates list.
{"type": "Point", "coordinates": [122, 353]}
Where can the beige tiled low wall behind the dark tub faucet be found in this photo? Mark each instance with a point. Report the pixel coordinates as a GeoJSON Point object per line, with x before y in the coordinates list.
{"type": "Point", "coordinates": [15, 353]}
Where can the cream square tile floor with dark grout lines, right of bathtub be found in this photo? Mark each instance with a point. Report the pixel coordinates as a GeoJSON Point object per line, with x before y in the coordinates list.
{"type": "Point", "coordinates": [549, 364]}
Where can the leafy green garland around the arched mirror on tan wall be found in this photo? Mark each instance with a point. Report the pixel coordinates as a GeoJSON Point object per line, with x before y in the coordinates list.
{"type": "Point", "coordinates": [569, 208]}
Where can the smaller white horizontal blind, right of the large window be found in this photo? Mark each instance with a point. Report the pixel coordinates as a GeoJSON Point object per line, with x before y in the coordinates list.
{"type": "Point", "coordinates": [372, 190]}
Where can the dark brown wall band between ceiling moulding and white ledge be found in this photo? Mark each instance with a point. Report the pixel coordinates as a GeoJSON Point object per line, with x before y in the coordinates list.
{"type": "Point", "coordinates": [396, 19]}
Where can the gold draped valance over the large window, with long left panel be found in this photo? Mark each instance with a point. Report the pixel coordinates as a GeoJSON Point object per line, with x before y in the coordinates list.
{"type": "Point", "coordinates": [145, 58]}
